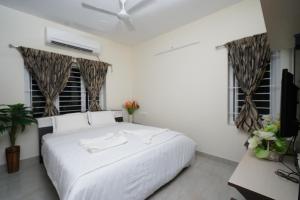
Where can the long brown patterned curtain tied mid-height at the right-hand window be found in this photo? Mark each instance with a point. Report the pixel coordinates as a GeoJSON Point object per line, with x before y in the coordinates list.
{"type": "Point", "coordinates": [249, 58]}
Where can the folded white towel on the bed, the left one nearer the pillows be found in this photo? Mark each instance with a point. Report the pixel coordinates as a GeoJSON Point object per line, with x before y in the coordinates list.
{"type": "Point", "coordinates": [103, 143]}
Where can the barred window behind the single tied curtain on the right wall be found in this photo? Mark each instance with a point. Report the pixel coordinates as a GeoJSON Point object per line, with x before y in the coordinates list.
{"type": "Point", "coordinates": [262, 97]}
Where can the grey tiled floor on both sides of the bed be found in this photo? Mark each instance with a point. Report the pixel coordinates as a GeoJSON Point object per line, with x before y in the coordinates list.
{"type": "Point", "coordinates": [206, 179]}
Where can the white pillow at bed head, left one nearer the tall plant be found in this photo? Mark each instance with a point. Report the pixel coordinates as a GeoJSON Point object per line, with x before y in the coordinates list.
{"type": "Point", "coordinates": [69, 122]}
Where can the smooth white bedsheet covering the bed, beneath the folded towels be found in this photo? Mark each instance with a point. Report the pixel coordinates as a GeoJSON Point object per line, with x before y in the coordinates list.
{"type": "Point", "coordinates": [132, 171]}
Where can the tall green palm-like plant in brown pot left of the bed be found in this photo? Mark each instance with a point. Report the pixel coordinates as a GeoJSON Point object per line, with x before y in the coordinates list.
{"type": "Point", "coordinates": [13, 120]}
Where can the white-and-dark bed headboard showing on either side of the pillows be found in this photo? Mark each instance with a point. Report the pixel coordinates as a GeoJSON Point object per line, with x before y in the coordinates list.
{"type": "Point", "coordinates": [45, 126]}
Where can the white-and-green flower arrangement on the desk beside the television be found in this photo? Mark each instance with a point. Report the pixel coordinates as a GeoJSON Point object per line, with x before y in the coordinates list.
{"type": "Point", "coordinates": [266, 143]}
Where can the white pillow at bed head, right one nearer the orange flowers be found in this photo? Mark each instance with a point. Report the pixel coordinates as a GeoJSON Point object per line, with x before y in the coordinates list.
{"type": "Point", "coordinates": [101, 118]}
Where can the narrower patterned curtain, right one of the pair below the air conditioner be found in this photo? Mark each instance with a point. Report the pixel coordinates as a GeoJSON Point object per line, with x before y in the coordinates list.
{"type": "Point", "coordinates": [93, 74]}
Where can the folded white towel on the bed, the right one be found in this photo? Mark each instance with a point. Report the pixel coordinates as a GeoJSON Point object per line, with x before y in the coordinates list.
{"type": "Point", "coordinates": [146, 135]}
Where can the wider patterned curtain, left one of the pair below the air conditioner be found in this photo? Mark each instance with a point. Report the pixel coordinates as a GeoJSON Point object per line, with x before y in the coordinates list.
{"type": "Point", "coordinates": [51, 72]}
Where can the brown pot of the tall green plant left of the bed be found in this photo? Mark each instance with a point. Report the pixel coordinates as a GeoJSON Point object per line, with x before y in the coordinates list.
{"type": "Point", "coordinates": [12, 158]}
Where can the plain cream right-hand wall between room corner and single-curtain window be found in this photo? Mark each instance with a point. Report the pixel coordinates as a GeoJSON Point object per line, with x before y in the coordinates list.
{"type": "Point", "coordinates": [187, 90]}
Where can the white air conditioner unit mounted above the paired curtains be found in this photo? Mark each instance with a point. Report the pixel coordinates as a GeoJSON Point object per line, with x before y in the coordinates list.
{"type": "Point", "coordinates": [71, 40]}
